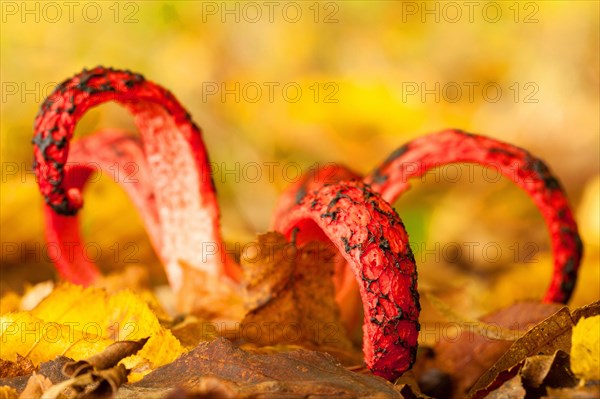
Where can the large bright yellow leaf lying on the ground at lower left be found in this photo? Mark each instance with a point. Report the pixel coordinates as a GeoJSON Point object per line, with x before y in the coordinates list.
{"type": "Point", "coordinates": [80, 322]}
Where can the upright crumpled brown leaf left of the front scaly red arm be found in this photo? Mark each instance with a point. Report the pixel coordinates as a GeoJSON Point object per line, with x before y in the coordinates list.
{"type": "Point", "coordinates": [291, 295]}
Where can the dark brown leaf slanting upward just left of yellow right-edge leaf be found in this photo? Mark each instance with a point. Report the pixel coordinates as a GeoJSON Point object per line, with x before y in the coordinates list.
{"type": "Point", "coordinates": [552, 334]}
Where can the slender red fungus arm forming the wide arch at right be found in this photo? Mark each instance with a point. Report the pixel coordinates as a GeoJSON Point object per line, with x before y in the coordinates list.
{"type": "Point", "coordinates": [525, 170]}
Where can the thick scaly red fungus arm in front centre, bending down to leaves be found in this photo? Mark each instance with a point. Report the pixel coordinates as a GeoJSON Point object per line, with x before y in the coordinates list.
{"type": "Point", "coordinates": [371, 237]}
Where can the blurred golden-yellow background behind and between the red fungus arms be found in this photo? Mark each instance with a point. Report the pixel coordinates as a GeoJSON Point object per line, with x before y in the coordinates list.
{"type": "Point", "coordinates": [351, 82]}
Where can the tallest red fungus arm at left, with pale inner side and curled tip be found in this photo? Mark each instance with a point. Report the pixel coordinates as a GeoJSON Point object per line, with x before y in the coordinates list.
{"type": "Point", "coordinates": [183, 190]}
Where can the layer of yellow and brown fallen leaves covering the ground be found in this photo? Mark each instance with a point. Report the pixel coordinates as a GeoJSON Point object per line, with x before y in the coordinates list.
{"type": "Point", "coordinates": [292, 290]}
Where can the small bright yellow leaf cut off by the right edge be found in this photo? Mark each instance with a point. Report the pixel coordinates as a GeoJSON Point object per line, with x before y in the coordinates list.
{"type": "Point", "coordinates": [585, 348]}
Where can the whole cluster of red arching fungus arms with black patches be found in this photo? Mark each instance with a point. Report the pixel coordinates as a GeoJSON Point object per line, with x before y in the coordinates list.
{"type": "Point", "coordinates": [175, 195]}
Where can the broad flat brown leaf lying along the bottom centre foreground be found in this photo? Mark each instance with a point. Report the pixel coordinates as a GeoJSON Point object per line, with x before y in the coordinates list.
{"type": "Point", "coordinates": [299, 373]}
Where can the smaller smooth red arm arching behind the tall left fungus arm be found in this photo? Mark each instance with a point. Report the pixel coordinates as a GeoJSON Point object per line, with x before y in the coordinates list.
{"type": "Point", "coordinates": [120, 156]}
